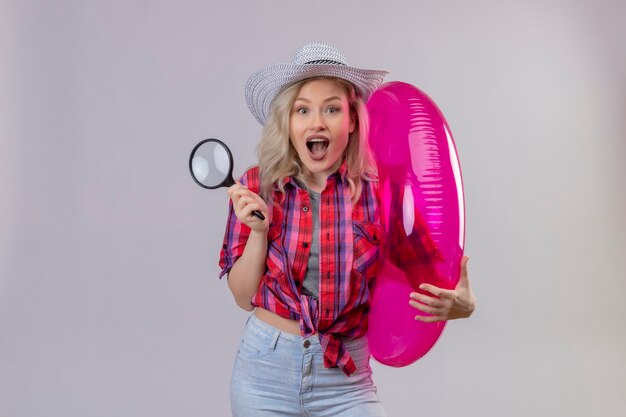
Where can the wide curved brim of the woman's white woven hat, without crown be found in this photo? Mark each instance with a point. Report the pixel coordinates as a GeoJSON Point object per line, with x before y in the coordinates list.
{"type": "Point", "coordinates": [265, 84]}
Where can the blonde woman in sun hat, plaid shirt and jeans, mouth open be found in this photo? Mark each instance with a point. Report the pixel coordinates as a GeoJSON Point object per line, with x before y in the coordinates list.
{"type": "Point", "coordinates": [305, 270]}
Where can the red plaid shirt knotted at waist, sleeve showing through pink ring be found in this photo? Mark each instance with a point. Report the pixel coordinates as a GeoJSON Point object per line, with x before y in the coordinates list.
{"type": "Point", "coordinates": [349, 236]}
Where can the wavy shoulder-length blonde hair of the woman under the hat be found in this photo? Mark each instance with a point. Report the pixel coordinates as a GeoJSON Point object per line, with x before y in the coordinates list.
{"type": "Point", "coordinates": [278, 158]}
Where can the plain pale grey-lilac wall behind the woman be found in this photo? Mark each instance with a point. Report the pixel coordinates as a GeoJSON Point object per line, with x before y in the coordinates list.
{"type": "Point", "coordinates": [109, 299]}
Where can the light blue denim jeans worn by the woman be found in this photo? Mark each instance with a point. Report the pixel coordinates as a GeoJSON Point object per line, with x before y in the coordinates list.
{"type": "Point", "coordinates": [281, 374]}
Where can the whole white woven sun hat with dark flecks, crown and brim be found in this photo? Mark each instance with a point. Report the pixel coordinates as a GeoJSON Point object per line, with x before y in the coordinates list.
{"type": "Point", "coordinates": [311, 60]}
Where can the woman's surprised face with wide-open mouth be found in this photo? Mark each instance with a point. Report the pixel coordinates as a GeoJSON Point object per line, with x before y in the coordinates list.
{"type": "Point", "coordinates": [319, 125]}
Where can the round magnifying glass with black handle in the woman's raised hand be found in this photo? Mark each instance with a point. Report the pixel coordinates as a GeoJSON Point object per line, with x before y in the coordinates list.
{"type": "Point", "coordinates": [211, 166]}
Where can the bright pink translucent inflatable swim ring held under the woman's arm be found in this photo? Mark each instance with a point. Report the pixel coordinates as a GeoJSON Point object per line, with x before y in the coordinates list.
{"type": "Point", "coordinates": [422, 215]}
